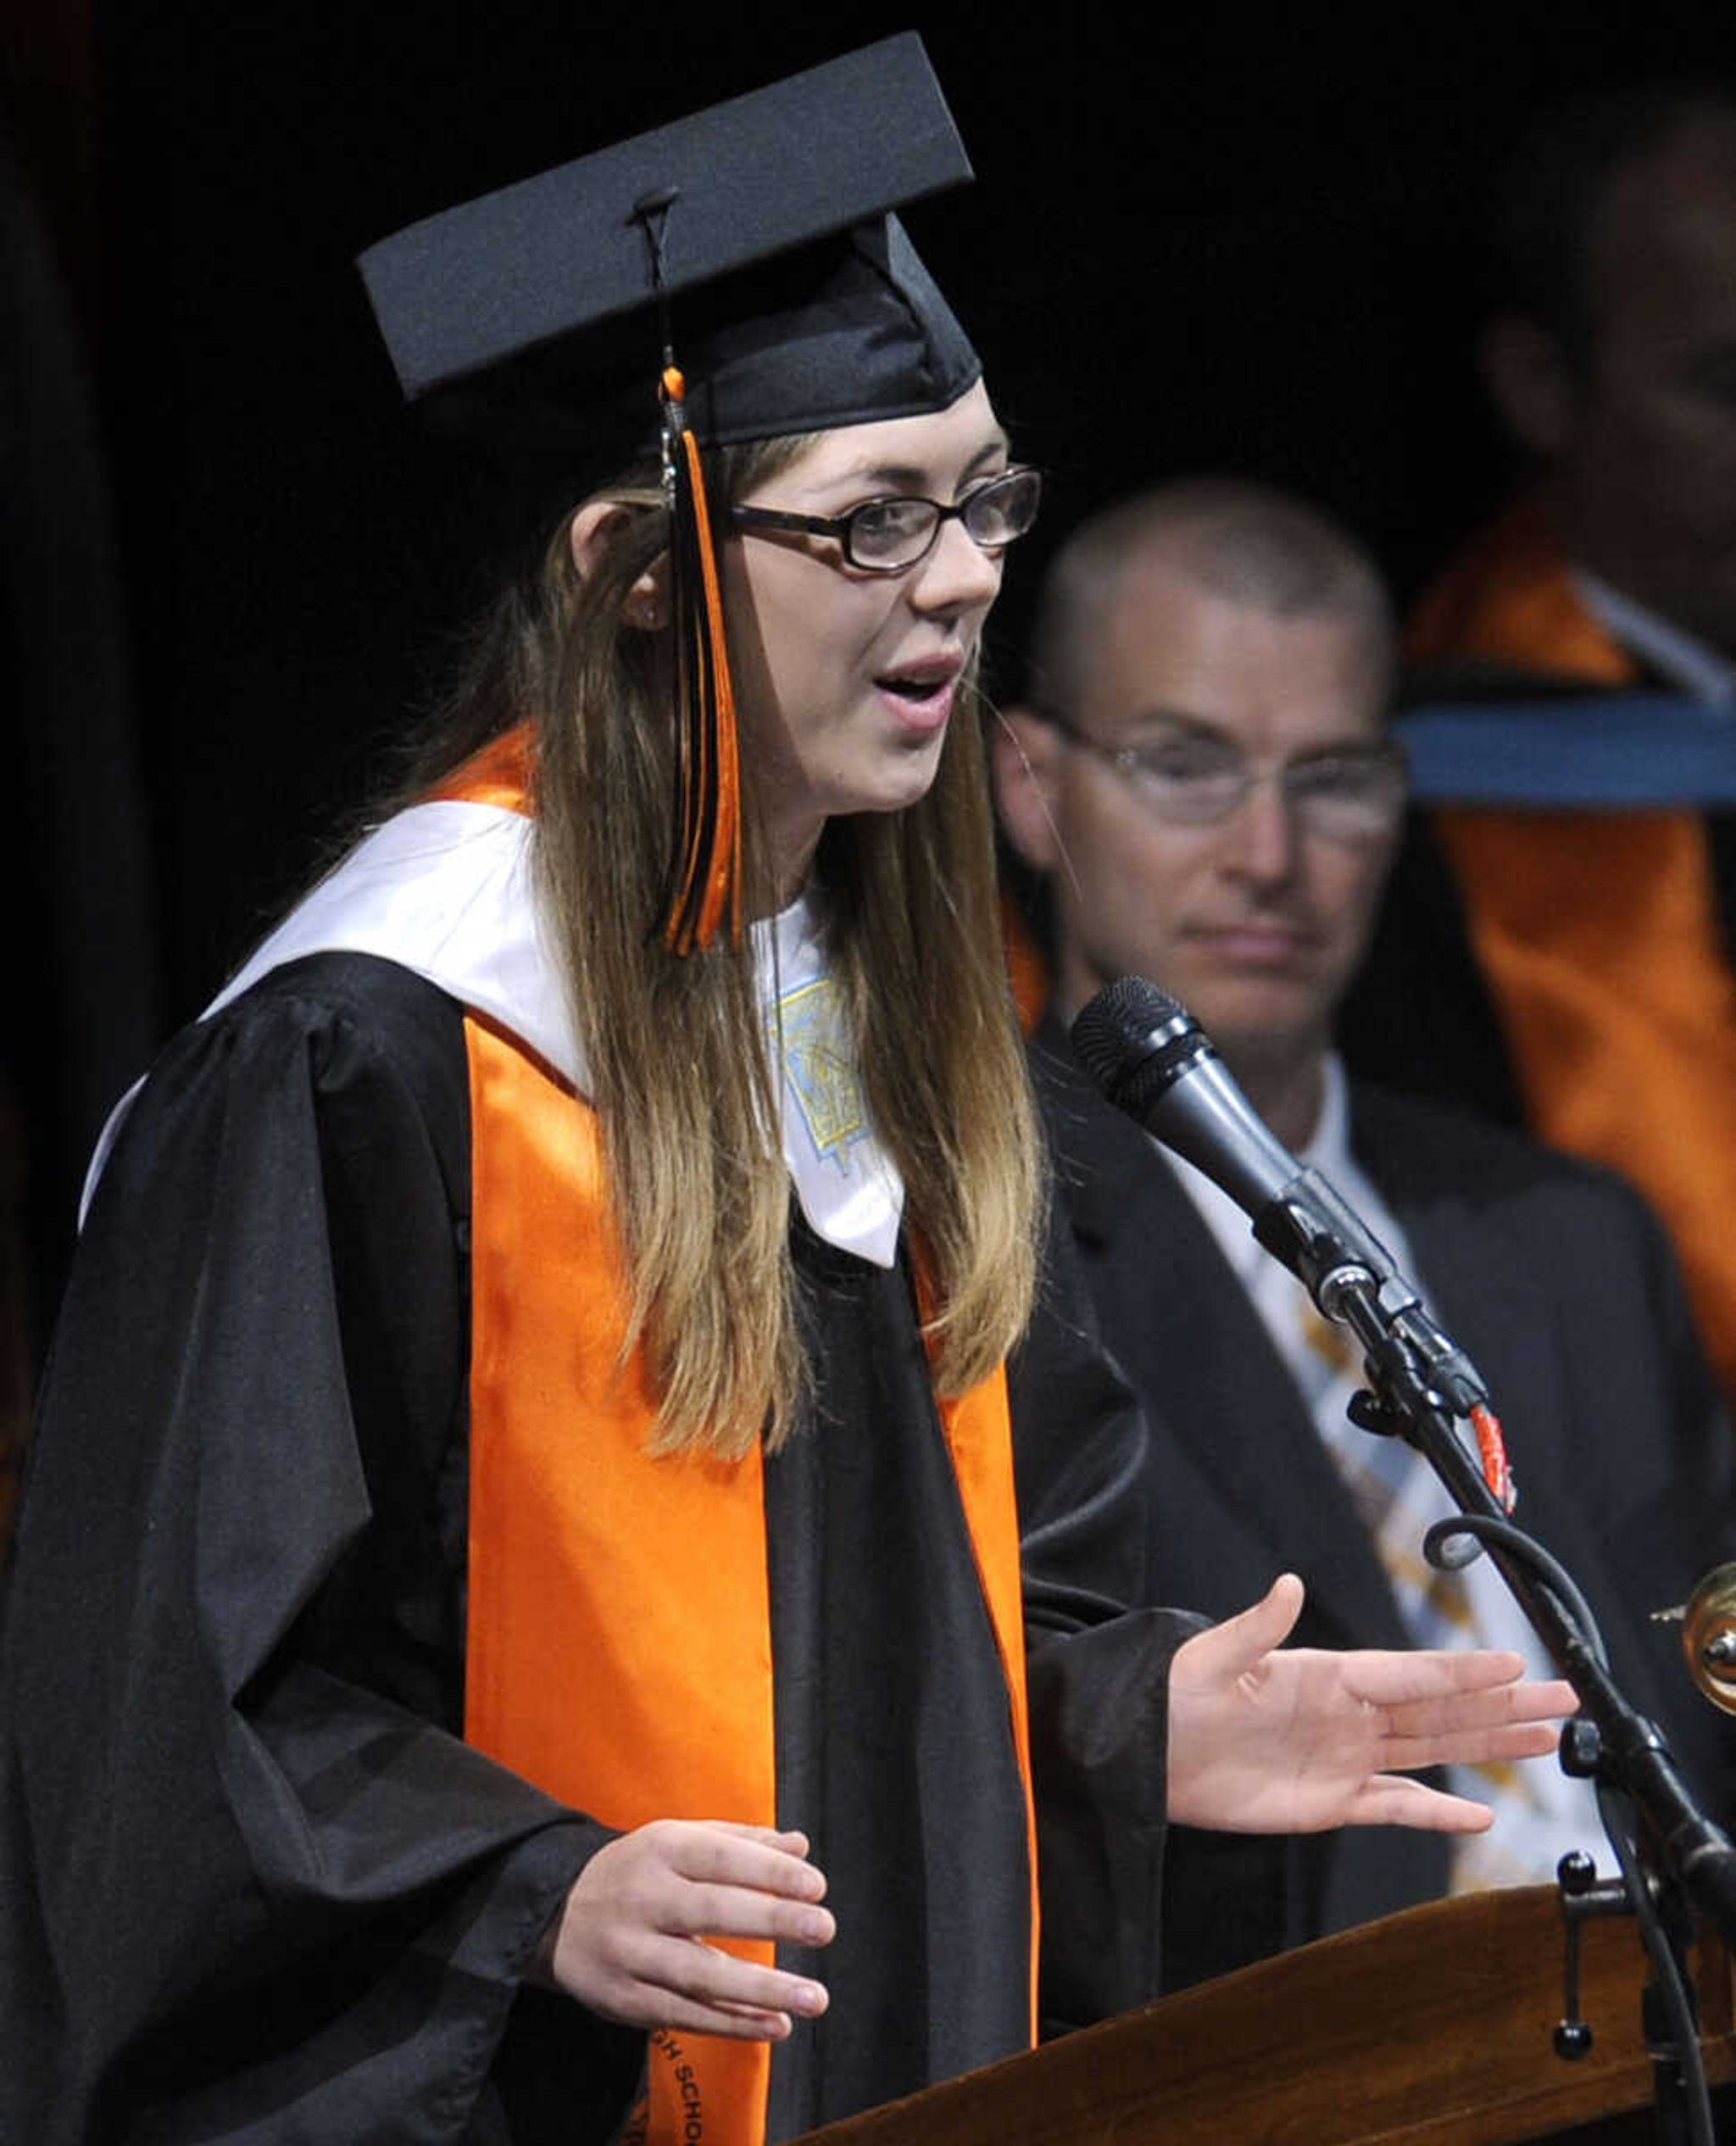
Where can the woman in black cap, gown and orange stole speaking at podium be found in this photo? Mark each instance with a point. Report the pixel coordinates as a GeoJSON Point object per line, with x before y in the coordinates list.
{"type": "Point", "coordinates": [527, 1480]}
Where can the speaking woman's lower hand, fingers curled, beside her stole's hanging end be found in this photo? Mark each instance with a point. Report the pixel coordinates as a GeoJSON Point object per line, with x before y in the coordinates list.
{"type": "Point", "coordinates": [632, 1939]}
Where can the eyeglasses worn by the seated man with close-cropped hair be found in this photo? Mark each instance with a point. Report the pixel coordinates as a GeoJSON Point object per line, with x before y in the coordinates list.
{"type": "Point", "coordinates": [1353, 793]}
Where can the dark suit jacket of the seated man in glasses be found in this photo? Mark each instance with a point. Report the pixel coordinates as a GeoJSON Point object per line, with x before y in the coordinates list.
{"type": "Point", "coordinates": [1561, 1287]}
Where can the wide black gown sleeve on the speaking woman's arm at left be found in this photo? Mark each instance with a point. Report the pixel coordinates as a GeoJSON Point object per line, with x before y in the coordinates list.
{"type": "Point", "coordinates": [256, 1881]}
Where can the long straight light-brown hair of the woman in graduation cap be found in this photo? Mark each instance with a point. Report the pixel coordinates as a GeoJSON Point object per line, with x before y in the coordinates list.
{"type": "Point", "coordinates": [677, 1050]}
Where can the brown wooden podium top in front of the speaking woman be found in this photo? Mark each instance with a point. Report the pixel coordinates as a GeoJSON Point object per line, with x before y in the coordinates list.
{"type": "Point", "coordinates": [1430, 2029]}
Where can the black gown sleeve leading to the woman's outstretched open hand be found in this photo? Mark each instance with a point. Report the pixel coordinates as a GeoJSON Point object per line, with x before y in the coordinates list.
{"type": "Point", "coordinates": [1098, 1660]}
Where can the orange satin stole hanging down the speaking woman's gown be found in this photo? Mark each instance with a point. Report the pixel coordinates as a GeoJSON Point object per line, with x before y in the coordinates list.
{"type": "Point", "coordinates": [619, 1630]}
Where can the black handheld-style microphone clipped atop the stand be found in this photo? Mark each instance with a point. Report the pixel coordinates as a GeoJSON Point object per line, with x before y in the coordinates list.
{"type": "Point", "coordinates": [1151, 1059]}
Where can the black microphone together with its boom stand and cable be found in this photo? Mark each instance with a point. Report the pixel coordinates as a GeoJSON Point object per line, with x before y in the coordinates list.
{"type": "Point", "coordinates": [1675, 1862]}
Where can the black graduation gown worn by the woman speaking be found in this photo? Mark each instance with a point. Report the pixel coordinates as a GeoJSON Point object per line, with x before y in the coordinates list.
{"type": "Point", "coordinates": [256, 1885]}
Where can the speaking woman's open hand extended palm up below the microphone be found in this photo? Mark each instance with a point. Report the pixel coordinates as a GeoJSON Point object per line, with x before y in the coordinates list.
{"type": "Point", "coordinates": [1299, 1741]}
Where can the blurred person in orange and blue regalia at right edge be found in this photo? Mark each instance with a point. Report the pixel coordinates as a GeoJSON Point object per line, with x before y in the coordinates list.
{"type": "Point", "coordinates": [1559, 941]}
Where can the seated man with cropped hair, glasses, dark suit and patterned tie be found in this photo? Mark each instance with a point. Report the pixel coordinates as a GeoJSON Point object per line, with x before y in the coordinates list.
{"type": "Point", "coordinates": [1205, 784]}
